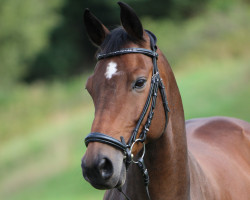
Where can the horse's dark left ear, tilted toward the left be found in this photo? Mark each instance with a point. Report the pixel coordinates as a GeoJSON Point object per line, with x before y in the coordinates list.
{"type": "Point", "coordinates": [95, 29]}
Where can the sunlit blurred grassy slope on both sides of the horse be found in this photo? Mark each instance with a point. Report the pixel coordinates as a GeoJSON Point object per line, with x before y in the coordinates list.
{"type": "Point", "coordinates": [43, 125]}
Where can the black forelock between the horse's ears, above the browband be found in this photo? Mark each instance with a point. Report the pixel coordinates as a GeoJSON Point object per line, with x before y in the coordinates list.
{"type": "Point", "coordinates": [116, 39]}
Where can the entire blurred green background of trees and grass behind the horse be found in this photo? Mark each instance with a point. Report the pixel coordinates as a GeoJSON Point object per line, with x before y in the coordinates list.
{"type": "Point", "coordinates": [45, 59]}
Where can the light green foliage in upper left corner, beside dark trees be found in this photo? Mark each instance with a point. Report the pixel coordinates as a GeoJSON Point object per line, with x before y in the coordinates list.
{"type": "Point", "coordinates": [24, 29]}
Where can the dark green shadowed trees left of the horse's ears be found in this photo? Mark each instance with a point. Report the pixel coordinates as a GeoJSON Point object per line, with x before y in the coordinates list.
{"type": "Point", "coordinates": [69, 50]}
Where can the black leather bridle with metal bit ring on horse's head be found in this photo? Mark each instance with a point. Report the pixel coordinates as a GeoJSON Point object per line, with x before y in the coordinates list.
{"type": "Point", "coordinates": [156, 83]}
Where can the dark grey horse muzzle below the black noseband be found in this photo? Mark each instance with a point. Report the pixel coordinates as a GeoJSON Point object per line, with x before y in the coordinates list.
{"type": "Point", "coordinates": [103, 166]}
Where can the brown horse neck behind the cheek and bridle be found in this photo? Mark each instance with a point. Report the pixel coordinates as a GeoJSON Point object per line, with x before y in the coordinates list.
{"type": "Point", "coordinates": [166, 158]}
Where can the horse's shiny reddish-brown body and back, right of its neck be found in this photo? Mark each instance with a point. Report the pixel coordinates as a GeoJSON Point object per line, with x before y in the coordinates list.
{"type": "Point", "coordinates": [220, 147]}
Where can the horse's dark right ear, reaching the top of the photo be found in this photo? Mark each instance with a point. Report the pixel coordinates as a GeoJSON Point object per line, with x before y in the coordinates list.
{"type": "Point", "coordinates": [130, 22]}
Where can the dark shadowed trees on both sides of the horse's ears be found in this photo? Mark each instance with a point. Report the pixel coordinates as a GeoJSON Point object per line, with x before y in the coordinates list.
{"type": "Point", "coordinates": [70, 50]}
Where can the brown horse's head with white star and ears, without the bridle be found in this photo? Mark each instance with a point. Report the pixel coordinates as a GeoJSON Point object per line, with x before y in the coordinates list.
{"type": "Point", "coordinates": [119, 87]}
